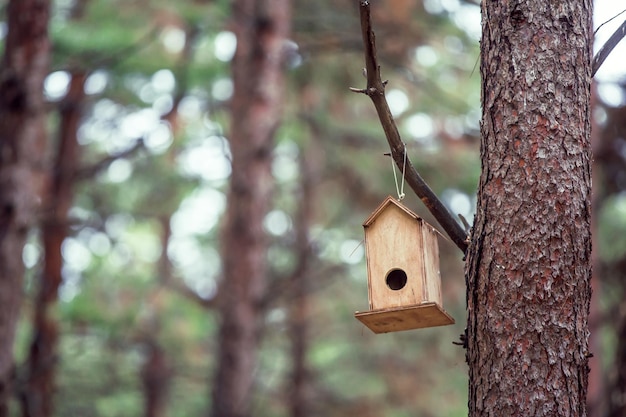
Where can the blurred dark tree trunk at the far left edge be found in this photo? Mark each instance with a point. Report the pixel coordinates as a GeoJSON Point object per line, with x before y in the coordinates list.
{"type": "Point", "coordinates": [22, 144]}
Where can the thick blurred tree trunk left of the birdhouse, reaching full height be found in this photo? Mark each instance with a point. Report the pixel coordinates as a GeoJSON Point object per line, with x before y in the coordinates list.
{"type": "Point", "coordinates": [261, 27]}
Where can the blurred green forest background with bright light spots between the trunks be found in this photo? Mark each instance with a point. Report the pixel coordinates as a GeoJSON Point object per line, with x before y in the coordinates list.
{"type": "Point", "coordinates": [147, 85]}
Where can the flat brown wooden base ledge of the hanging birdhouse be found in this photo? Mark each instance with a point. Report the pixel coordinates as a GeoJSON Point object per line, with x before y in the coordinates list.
{"type": "Point", "coordinates": [397, 319]}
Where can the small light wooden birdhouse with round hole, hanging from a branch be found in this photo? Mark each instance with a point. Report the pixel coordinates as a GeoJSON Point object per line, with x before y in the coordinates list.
{"type": "Point", "coordinates": [403, 279]}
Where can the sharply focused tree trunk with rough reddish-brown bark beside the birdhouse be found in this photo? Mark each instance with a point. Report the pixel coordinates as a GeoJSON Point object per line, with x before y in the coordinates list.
{"type": "Point", "coordinates": [528, 266]}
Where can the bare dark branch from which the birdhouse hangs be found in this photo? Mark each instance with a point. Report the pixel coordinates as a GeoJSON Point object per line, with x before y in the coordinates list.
{"type": "Point", "coordinates": [375, 90]}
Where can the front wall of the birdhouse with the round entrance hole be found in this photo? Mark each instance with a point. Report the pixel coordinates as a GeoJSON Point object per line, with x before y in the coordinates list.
{"type": "Point", "coordinates": [394, 241]}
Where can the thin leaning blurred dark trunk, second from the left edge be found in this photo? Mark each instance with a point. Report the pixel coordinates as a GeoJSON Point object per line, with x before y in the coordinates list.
{"type": "Point", "coordinates": [37, 399]}
